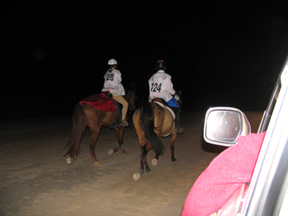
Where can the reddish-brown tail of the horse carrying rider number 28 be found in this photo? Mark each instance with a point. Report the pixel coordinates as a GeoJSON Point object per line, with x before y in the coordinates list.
{"type": "Point", "coordinates": [78, 128]}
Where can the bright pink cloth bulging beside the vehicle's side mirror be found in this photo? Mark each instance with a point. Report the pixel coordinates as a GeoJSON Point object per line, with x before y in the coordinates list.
{"type": "Point", "coordinates": [223, 176]}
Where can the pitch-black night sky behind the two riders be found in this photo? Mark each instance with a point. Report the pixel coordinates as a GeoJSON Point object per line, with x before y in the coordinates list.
{"type": "Point", "coordinates": [218, 53]}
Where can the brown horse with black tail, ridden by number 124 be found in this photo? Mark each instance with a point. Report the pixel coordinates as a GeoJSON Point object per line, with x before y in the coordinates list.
{"type": "Point", "coordinates": [153, 121]}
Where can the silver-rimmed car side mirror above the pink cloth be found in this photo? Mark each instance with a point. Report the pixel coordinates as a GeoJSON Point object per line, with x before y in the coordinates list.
{"type": "Point", "coordinates": [223, 126]}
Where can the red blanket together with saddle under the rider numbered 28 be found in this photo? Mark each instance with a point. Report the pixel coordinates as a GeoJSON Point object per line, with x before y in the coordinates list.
{"type": "Point", "coordinates": [103, 101]}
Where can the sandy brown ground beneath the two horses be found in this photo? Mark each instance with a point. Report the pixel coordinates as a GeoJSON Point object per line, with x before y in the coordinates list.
{"type": "Point", "coordinates": [35, 179]}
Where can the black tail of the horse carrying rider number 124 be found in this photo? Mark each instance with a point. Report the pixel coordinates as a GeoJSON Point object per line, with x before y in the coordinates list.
{"type": "Point", "coordinates": [147, 123]}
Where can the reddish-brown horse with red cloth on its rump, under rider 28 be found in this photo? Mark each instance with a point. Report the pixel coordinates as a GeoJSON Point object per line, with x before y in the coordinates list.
{"type": "Point", "coordinates": [86, 115]}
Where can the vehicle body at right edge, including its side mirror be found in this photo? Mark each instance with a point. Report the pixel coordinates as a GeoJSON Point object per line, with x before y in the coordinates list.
{"type": "Point", "coordinates": [267, 193]}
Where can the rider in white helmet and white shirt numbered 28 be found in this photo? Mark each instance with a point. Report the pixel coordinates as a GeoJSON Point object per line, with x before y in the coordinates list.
{"type": "Point", "coordinates": [112, 84]}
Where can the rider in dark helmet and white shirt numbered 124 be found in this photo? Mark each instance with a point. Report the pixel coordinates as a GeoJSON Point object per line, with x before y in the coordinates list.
{"type": "Point", "coordinates": [160, 86]}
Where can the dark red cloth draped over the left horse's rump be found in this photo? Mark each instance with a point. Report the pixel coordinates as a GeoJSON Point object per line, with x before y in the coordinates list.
{"type": "Point", "coordinates": [100, 101]}
